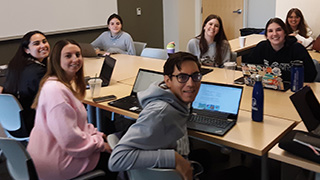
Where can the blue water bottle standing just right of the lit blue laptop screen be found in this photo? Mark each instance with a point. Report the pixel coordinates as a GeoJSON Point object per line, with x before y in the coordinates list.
{"type": "Point", "coordinates": [257, 100]}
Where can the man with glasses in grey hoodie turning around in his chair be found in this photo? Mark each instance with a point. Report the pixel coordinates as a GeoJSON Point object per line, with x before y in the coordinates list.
{"type": "Point", "coordinates": [159, 137]}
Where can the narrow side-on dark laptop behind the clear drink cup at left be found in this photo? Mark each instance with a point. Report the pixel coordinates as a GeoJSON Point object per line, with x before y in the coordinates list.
{"type": "Point", "coordinates": [105, 73]}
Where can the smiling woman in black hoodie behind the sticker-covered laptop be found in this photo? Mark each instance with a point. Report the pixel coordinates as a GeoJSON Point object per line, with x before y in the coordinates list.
{"type": "Point", "coordinates": [280, 49]}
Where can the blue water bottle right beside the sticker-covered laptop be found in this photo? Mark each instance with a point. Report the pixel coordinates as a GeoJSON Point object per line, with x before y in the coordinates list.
{"type": "Point", "coordinates": [297, 75]}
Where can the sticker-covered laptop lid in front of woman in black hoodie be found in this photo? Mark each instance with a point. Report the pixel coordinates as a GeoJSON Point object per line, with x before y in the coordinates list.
{"type": "Point", "coordinates": [271, 77]}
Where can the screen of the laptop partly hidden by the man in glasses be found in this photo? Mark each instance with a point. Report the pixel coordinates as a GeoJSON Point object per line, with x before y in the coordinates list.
{"type": "Point", "coordinates": [144, 79]}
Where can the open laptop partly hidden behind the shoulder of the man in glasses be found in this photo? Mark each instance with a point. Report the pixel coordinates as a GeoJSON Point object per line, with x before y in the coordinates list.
{"type": "Point", "coordinates": [143, 80]}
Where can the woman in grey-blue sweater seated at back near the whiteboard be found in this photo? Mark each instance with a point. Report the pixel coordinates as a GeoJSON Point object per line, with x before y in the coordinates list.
{"type": "Point", "coordinates": [114, 40]}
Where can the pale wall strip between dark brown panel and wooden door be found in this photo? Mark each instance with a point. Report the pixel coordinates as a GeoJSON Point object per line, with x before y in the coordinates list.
{"type": "Point", "coordinates": [182, 21]}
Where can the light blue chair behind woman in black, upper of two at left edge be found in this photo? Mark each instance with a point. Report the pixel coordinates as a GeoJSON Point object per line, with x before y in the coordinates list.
{"type": "Point", "coordinates": [10, 119]}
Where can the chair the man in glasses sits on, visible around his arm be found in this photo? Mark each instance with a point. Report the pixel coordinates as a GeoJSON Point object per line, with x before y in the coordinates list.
{"type": "Point", "coordinates": [148, 173]}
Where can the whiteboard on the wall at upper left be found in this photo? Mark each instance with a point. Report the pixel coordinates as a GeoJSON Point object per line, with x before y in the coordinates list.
{"type": "Point", "coordinates": [18, 17]}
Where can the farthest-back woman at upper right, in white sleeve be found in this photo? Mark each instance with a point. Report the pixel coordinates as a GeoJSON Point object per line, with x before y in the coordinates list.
{"type": "Point", "coordinates": [298, 27]}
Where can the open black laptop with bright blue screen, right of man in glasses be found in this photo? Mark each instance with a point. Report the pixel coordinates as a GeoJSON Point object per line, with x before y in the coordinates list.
{"type": "Point", "coordinates": [216, 108]}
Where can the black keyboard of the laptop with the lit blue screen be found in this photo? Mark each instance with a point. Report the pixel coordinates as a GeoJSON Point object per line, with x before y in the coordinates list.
{"type": "Point", "coordinates": [210, 121]}
